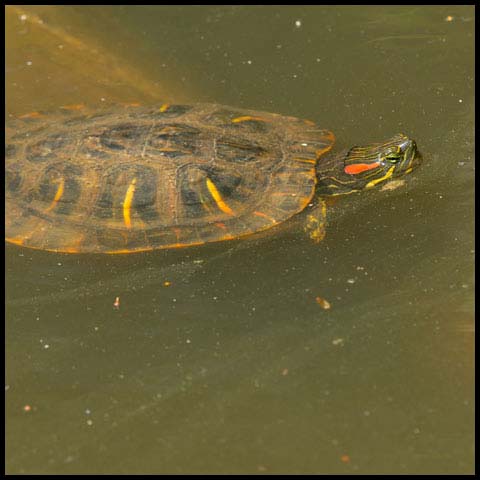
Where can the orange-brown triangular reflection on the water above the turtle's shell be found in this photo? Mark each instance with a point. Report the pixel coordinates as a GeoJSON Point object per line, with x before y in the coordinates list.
{"type": "Point", "coordinates": [54, 47]}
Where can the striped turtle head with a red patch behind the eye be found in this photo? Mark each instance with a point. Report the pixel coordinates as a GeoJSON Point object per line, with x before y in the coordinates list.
{"type": "Point", "coordinates": [363, 167]}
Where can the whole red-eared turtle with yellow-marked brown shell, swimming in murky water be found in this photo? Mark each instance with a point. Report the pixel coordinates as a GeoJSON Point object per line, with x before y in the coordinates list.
{"type": "Point", "coordinates": [131, 178]}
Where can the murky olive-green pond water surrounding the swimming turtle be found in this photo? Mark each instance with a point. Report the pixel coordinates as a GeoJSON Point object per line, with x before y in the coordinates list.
{"type": "Point", "coordinates": [219, 359]}
